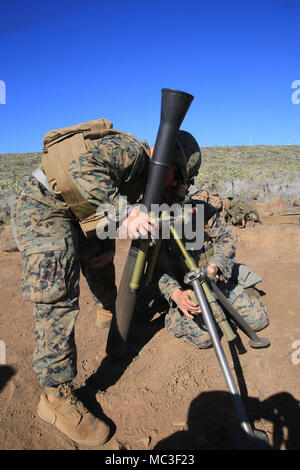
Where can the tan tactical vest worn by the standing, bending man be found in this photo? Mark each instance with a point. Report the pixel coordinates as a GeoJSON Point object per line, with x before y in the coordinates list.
{"type": "Point", "coordinates": [65, 145]}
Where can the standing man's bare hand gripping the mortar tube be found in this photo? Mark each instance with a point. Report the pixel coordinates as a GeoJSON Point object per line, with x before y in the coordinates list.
{"type": "Point", "coordinates": [139, 224]}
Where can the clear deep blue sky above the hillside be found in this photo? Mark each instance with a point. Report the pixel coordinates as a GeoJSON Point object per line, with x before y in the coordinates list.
{"type": "Point", "coordinates": [69, 61]}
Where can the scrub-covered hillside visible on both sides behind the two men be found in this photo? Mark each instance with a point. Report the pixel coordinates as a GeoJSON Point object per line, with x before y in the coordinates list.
{"type": "Point", "coordinates": [239, 172]}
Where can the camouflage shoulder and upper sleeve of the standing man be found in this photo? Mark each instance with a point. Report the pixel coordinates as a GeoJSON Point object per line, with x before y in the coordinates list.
{"type": "Point", "coordinates": [108, 170]}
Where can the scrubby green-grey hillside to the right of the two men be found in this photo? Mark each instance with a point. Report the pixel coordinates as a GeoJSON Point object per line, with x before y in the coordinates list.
{"type": "Point", "coordinates": [246, 171]}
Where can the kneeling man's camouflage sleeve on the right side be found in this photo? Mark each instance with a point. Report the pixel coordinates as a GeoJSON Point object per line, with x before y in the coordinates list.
{"type": "Point", "coordinates": [223, 243]}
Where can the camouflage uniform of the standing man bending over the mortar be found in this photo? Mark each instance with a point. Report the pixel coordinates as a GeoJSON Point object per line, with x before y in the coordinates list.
{"type": "Point", "coordinates": [54, 249]}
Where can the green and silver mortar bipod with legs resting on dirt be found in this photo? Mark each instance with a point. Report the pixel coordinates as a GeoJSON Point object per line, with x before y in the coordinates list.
{"type": "Point", "coordinates": [210, 309]}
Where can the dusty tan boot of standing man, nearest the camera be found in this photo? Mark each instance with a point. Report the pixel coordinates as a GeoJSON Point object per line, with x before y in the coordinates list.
{"type": "Point", "coordinates": [59, 406]}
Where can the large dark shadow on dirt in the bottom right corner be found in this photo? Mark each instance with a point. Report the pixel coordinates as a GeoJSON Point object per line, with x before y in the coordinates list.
{"type": "Point", "coordinates": [213, 424]}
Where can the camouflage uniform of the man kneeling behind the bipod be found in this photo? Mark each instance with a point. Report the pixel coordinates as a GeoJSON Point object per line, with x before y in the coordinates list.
{"type": "Point", "coordinates": [219, 248]}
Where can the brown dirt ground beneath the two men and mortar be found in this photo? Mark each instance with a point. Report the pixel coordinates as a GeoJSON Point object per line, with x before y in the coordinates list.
{"type": "Point", "coordinates": [170, 395]}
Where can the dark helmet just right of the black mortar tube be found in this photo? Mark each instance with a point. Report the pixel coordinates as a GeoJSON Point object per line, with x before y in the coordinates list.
{"type": "Point", "coordinates": [187, 156]}
